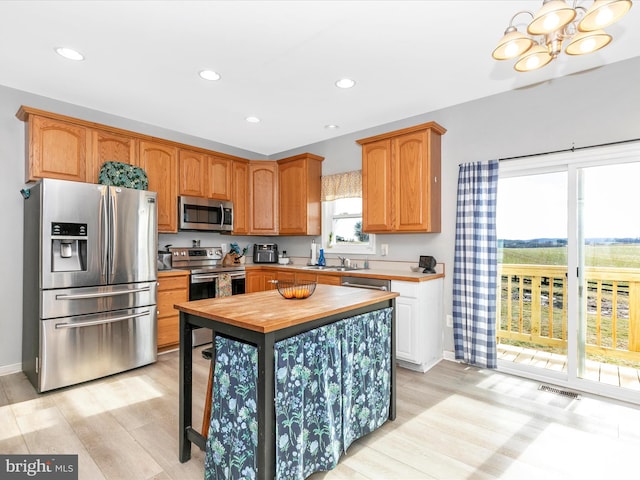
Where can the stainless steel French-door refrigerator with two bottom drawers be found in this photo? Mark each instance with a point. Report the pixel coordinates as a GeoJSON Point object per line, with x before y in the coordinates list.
{"type": "Point", "coordinates": [90, 282]}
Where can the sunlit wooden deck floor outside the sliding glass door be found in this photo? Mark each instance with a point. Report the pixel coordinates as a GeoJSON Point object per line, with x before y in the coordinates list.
{"type": "Point", "coordinates": [617, 375]}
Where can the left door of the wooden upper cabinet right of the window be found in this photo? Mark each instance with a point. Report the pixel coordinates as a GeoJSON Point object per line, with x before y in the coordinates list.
{"type": "Point", "coordinates": [377, 207]}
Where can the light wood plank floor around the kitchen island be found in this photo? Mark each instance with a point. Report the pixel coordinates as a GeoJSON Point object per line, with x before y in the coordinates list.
{"type": "Point", "coordinates": [454, 422]}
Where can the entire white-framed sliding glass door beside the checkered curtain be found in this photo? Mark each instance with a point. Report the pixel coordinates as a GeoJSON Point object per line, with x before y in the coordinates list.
{"type": "Point", "coordinates": [569, 266]}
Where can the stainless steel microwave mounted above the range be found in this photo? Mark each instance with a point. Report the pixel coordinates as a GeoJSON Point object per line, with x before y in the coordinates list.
{"type": "Point", "coordinates": [196, 213]}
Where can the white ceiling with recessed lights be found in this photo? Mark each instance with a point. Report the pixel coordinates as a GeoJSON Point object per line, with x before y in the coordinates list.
{"type": "Point", "coordinates": [278, 60]}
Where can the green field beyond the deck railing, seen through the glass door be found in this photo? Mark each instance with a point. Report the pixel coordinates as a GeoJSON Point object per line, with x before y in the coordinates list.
{"type": "Point", "coordinates": [617, 255]}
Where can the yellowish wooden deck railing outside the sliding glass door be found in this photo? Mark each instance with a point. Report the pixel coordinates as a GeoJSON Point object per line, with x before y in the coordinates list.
{"type": "Point", "coordinates": [532, 308]}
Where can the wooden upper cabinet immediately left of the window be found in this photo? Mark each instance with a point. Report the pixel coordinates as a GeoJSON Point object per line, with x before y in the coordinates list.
{"type": "Point", "coordinates": [299, 194]}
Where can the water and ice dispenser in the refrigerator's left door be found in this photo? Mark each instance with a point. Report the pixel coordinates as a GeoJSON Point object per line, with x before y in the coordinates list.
{"type": "Point", "coordinates": [68, 247]}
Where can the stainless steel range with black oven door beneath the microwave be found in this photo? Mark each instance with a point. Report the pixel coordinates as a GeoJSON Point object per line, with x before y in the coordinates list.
{"type": "Point", "coordinates": [205, 266]}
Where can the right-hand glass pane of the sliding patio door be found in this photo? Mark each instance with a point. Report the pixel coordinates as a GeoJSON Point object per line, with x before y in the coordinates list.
{"type": "Point", "coordinates": [608, 238]}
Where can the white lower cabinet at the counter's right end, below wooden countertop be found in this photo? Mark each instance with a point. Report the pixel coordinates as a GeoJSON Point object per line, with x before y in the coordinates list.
{"type": "Point", "coordinates": [419, 332]}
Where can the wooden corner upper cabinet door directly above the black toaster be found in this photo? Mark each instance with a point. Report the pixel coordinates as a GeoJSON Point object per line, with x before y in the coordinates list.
{"type": "Point", "coordinates": [263, 198]}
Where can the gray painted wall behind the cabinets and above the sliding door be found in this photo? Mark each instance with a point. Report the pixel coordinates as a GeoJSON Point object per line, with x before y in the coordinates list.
{"type": "Point", "coordinates": [594, 107]}
